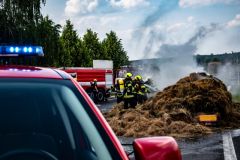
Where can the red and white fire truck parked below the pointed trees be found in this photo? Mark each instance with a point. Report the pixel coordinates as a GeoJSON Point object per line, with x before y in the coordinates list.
{"type": "Point", "coordinates": [85, 76]}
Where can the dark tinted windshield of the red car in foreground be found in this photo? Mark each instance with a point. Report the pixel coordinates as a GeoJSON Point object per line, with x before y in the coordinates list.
{"type": "Point", "coordinates": [46, 115]}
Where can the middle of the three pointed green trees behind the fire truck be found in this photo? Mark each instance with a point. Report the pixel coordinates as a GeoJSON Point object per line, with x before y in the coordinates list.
{"type": "Point", "coordinates": [92, 47]}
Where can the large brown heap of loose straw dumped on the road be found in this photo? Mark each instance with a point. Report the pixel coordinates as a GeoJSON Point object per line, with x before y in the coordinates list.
{"type": "Point", "coordinates": [173, 111]}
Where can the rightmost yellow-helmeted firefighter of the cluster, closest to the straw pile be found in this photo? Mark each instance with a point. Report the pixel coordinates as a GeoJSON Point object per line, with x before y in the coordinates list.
{"type": "Point", "coordinates": [141, 89]}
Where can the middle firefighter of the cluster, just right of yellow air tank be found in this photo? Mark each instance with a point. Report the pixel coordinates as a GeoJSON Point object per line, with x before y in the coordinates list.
{"type": "Point", "coordinates": [128, 93]}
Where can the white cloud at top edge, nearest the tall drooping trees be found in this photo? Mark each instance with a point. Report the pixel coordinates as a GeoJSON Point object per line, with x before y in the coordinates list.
{"type": "Point", "coordinates": [74, 7]}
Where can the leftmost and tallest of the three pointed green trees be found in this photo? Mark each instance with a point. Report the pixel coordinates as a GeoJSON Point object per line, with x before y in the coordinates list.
{"type": "Point", "coordinates": [69, 40]}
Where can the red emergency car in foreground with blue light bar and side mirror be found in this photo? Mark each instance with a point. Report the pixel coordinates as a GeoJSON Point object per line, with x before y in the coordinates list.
{"type": "Point", "coordinates": [46, 115]}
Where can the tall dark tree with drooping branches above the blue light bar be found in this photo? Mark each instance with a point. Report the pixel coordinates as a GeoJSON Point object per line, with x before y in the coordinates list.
{"type": "Point", "coordinates": [19, 20]}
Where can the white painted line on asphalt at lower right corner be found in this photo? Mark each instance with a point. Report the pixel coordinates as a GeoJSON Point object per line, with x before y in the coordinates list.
{"type": "Point", "coordinates": [228, 147]}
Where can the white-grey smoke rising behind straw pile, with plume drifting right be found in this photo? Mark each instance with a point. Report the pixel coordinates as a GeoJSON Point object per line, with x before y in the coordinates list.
{"type": "Point", "coordinates": [176, 60]}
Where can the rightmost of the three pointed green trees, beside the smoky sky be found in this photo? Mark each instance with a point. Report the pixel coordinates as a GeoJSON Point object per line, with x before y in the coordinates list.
{"type": "Point", "coordinates": [113, 49]}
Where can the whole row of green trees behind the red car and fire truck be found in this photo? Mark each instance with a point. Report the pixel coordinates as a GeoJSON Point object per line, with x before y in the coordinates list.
{"type": "Point", "coordinates": [21, 22]}
